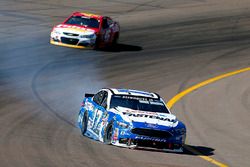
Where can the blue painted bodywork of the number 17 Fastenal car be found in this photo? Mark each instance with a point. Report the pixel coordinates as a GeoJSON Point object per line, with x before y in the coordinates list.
{"type": "Point", "coordinates": [99, 118]}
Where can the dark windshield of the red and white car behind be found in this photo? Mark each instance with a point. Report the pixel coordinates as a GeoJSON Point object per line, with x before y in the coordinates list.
{"type": "Point", "coordinates": [83, 21]}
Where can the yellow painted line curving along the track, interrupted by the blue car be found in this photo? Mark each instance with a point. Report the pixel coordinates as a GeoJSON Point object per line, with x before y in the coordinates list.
{"type": "Point", "coordinates": [180, 95]}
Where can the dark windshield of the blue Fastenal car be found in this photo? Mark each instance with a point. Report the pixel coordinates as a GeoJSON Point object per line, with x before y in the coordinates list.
{"type": "Point", "coordinates": [138, 103]}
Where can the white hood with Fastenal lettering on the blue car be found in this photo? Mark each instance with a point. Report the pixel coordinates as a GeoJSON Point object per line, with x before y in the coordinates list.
{"type": "Point", "coordinates": [150, 118]}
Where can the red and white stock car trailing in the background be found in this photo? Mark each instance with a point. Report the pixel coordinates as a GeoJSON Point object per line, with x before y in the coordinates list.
{"type": "Point", "coordinates": [85, 30]}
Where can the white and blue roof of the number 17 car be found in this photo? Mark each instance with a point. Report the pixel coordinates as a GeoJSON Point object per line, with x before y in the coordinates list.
{"type": "Point", "coordinates": [134, 93]}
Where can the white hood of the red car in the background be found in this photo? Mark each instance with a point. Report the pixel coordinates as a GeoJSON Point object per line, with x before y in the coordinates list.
{"type": "Point", "coordinates": [65, 28]}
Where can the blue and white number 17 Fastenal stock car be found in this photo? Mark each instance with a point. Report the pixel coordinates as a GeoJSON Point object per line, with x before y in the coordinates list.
{"type": "Point", "coordinates": [132, 119]}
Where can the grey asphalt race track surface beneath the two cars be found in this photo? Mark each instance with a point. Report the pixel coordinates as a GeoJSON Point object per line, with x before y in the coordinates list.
{"type": "Point", "coordinates": [165, 46]}
